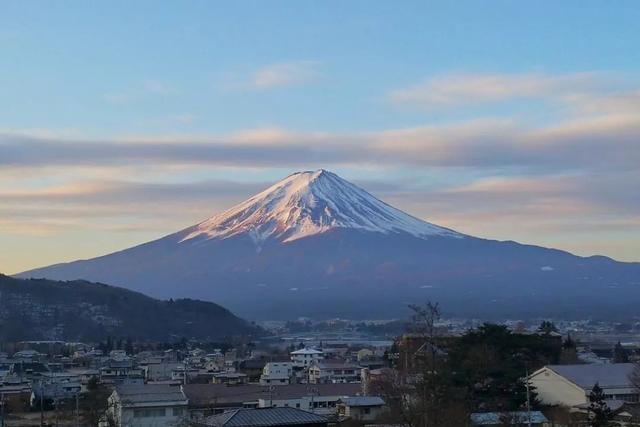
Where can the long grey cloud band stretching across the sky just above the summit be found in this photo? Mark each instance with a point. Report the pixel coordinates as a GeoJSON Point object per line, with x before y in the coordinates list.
{"type": "Point", "coordinates": [603, 142]}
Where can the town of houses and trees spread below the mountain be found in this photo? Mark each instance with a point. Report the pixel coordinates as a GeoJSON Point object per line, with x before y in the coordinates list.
{"type": "Point", "coordinates": [435, 372]}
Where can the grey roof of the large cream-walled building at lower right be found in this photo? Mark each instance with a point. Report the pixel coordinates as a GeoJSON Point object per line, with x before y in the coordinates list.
{"type": "Point", "coordinates": [609, 375]}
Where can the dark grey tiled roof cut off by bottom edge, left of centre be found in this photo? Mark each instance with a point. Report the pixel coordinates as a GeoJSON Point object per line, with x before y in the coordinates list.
{"type": "Point", "coordinates": [264, 417]}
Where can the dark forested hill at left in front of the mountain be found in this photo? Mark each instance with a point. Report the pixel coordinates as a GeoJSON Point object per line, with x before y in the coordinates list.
{"type": "Point", "coordinates": [40, 309]}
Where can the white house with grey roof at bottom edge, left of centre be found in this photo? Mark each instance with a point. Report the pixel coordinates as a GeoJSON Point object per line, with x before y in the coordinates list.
{"type": "Point", "coordinates": [147, 406]}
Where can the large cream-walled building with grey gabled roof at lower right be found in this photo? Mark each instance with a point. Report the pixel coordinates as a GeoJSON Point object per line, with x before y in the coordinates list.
{"type": "Point", "coordinates": [570, 385]}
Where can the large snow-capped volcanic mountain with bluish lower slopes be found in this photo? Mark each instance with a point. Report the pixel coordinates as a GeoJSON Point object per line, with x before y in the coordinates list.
{"type": "Point", "coordinates": [317, 245]}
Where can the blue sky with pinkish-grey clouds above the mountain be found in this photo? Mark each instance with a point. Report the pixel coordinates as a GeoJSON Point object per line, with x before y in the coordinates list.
{"type": "Point", "coordinates": [510, 120]}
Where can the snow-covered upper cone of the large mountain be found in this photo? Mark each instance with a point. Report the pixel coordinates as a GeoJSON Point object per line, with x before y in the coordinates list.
{"type": "Point", "coordinates": [308, 203]}
